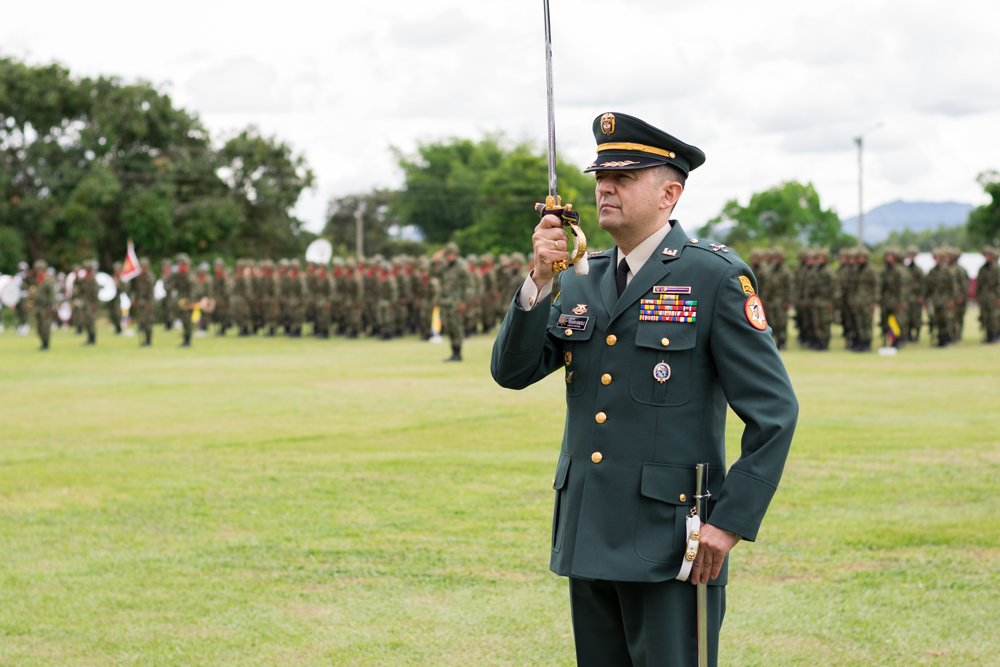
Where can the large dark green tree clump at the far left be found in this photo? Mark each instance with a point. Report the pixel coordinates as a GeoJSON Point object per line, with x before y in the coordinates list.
{"type": "Point", "coordinates": [86, 164]}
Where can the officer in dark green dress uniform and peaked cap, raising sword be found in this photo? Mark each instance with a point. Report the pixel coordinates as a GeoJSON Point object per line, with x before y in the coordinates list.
{"type": "Point", "coordinates": [664, 331]}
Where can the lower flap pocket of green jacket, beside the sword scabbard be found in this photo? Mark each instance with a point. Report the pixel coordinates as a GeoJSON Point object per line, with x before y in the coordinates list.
{"type": "Point", "coordinates": [659, 530]}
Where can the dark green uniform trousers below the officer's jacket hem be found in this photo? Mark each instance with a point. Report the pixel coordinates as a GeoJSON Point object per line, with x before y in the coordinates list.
{"type": "Point", "coordinates": [616, 624]}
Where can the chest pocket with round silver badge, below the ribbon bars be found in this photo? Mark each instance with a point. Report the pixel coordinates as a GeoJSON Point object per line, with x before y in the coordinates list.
{"type": "Point", "coordinates": [661, 363]}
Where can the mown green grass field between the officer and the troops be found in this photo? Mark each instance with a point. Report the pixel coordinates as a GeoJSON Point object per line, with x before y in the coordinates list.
{"type": "Point", "coordinates": [303, 502]}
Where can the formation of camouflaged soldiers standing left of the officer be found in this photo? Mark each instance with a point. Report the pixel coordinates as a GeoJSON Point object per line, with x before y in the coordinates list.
{"type": "Point", "coordinates": [373, 296]}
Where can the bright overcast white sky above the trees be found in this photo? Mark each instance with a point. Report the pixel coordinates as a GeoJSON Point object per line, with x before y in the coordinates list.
{"type": "Point", "coordinates": [770, 91]}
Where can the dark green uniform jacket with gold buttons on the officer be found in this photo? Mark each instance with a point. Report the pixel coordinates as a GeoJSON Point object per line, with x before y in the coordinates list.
{"type": "Point", "coordinates": [620, 515]}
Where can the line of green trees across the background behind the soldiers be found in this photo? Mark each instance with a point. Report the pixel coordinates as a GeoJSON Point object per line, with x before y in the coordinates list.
{"type": "Point", "coordinates": [89, 163]}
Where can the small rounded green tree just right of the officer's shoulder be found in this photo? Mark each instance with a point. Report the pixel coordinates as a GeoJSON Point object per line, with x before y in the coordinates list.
{"type": "Point", "coordinates": [790, 211]}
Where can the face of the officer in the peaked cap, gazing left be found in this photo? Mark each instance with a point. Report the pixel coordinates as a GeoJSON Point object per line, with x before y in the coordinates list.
{"type": "Point", "coordinates": [632, 197]}
